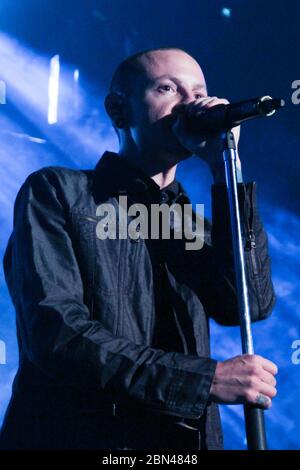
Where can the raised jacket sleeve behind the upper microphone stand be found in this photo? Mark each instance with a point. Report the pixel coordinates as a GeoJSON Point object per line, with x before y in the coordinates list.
{"type": "Point", "coordinates": [218, 292]}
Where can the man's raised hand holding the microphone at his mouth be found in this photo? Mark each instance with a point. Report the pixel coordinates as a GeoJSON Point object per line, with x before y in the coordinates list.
{"type": "Point", "coordinates": [208, 147]}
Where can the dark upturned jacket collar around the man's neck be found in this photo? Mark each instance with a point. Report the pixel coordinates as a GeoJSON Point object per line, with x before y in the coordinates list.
{"type": "Point", "coordinates": [114, 176]}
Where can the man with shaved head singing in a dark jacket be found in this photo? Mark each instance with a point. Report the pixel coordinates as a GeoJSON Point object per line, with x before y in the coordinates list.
{"type": "Point", "coordinates": [114, 332]}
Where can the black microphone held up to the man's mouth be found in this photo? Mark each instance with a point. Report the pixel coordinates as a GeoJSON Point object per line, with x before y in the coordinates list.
{"type": "Point", "coordinates": [226, 116]}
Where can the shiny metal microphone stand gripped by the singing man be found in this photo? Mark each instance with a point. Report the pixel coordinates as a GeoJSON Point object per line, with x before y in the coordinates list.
{"type": "Point", "coordinates": [254, 416]}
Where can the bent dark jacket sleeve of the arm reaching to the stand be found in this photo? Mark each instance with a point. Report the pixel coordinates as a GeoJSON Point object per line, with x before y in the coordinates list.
{"type": "Point", "coordinates": [55, 325]}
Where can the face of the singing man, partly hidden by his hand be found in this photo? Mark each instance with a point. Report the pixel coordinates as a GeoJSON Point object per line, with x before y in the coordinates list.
{"type": "Point", "coordinates": [169, 78]}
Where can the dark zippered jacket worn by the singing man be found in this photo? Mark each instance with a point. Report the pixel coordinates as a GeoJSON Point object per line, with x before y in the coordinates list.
{"type": "Point", "coordinates": [89, 376]}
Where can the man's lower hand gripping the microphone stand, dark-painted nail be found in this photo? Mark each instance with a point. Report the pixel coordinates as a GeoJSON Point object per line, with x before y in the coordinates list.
{"type": "Point", "coordinates": [245, 379]}
